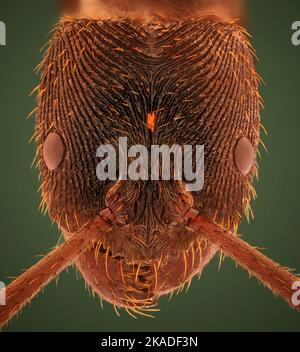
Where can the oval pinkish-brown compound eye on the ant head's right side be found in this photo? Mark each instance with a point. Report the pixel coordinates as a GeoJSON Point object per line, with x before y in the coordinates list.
{"type": "Point", "coordinates": [244, 156]}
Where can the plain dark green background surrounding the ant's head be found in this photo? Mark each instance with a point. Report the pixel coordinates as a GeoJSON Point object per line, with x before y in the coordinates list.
{"type": "Point", "coordinates": [220, 301]}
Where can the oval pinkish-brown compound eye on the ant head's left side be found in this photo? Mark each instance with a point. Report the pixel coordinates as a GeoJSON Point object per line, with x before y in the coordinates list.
{"type": "Point", "coordinates": [53, 151]}
